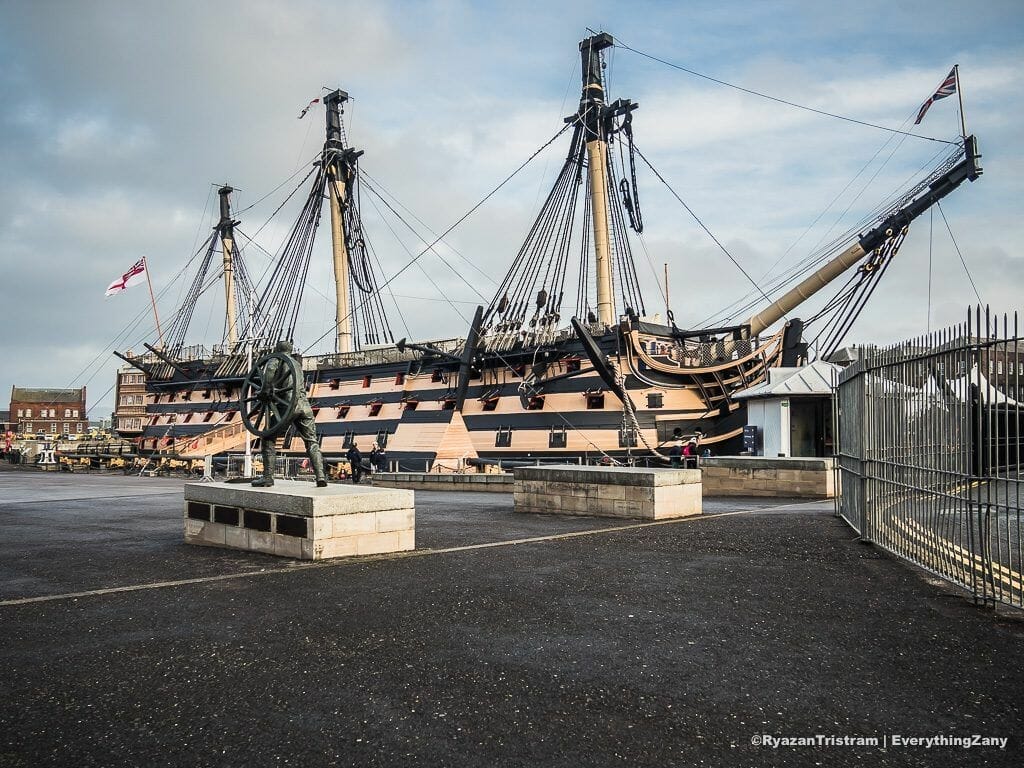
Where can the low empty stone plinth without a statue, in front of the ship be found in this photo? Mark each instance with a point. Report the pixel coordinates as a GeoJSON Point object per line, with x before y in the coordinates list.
{"type": "Point", "coordinates": [609, 492]}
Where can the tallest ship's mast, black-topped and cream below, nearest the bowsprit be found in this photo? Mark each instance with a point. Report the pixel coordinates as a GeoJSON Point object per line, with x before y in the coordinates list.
{"type": "Point", "coordinates": [592, 107]}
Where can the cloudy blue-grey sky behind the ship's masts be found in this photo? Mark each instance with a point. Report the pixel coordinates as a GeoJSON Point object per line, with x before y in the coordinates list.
{"type": "Point", "coordinates": [121, 118]}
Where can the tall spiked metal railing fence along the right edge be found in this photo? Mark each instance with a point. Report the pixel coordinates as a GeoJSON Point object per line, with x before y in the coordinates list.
{"type": "Point", "coordinates": [929, 453]}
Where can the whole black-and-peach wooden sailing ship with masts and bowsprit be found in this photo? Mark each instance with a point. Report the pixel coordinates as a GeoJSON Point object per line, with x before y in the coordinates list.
{"type": "Point", "coordinates": [520, 387]}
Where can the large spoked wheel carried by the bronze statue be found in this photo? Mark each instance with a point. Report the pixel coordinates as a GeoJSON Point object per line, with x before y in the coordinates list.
{"type": "Point", "coordinates": [268, 407]}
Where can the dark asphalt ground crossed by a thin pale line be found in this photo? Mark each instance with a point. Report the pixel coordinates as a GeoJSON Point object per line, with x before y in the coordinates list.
{"type": "Point", "coordinates": [504, 641]}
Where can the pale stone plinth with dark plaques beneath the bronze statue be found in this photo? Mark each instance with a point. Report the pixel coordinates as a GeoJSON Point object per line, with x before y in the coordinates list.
{"type": "Point", "coordinates": [298, 520]}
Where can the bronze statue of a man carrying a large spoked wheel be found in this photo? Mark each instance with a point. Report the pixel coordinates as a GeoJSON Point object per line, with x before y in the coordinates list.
{"type": "Point", "coordinates": [274, 398]}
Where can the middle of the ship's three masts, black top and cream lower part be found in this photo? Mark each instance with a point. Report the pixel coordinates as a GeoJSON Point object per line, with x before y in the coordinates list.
{"type": "Point", "coordinates": [338, 183]}
